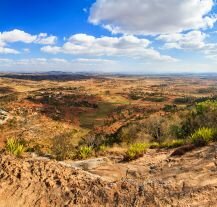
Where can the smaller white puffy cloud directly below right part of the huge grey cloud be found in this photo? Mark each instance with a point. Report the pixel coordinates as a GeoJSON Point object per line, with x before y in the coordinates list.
{"type": "Point", "coordinates": [191, 40]}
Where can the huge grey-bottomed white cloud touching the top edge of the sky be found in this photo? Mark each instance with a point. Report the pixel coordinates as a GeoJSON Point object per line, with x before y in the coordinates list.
{"type": "Point", "coordinates": [152, 16]}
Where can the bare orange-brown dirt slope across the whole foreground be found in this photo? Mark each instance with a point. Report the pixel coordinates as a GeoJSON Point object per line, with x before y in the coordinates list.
{"type": "Point", "coordinates": [155, 180]}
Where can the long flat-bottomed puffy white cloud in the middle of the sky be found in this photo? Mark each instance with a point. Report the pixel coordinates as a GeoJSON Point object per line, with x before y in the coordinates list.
{"type": "Point", "coordinates": [128, 45]}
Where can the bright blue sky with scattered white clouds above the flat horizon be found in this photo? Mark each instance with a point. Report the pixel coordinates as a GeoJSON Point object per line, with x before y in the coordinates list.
{"type": "Point", "coordinates": [108, 36]}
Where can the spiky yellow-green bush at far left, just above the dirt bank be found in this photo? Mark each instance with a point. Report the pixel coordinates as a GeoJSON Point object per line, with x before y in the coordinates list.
{"type": "Point", "coordinates": [15, 147]}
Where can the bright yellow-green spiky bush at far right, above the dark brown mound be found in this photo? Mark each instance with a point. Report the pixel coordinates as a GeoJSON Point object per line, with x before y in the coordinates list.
{"type": "Point", "coordinates": [202, 136]}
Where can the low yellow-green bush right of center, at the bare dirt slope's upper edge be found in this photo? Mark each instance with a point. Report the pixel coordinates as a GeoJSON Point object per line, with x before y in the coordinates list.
{"type": "Point", "coordinates": [135, 151]}
